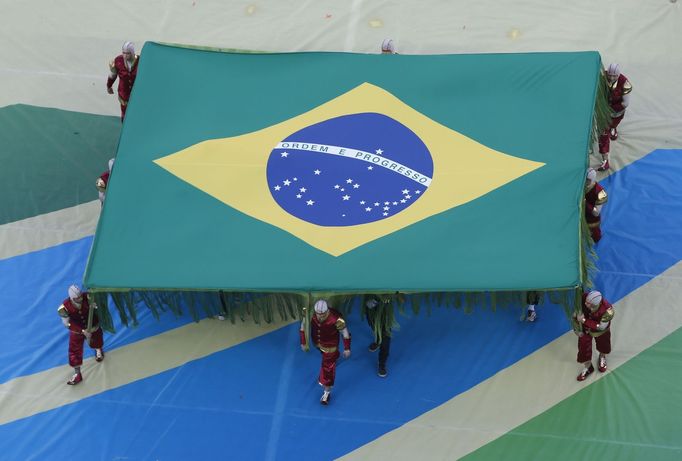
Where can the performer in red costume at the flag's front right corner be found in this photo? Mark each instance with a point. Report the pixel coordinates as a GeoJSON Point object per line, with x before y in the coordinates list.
{"type": "Point", "coordinates": [594, 321]}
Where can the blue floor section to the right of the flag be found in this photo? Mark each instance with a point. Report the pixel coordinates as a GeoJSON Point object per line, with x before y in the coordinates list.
{"type": "Point", "coordinates": [642, 223]}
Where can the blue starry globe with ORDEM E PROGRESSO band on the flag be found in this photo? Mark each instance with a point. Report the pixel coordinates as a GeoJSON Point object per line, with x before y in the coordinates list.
{"type": "Point", "coordinates": [349, 170]}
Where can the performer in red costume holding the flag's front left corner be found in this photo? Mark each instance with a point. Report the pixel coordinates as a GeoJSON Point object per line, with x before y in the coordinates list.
{"type": "Point", "coordinates": [75, 313]}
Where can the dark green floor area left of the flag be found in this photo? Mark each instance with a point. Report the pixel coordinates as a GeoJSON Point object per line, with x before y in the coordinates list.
{"type": "Point", "coordinates": [50, 158]}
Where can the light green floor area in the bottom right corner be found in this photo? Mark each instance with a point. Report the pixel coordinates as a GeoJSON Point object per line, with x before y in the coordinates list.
{"type": "Point", "coordinates": [626, 415]}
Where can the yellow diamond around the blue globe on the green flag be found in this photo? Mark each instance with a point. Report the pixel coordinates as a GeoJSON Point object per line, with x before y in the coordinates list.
{"type": "Point", "coordinates": [235, 171]}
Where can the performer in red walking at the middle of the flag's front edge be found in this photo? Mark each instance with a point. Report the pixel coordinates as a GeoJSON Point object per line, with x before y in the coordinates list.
{"type": "Point", "coordinates": [326, 324]}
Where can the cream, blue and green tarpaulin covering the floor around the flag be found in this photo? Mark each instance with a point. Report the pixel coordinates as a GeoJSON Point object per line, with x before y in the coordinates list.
{"type": "Point", "coordinates": [483, 385]}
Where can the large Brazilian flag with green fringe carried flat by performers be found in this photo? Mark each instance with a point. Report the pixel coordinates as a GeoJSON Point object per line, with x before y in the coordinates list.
{"type": "Point", "coordinates": [272, 179]}
